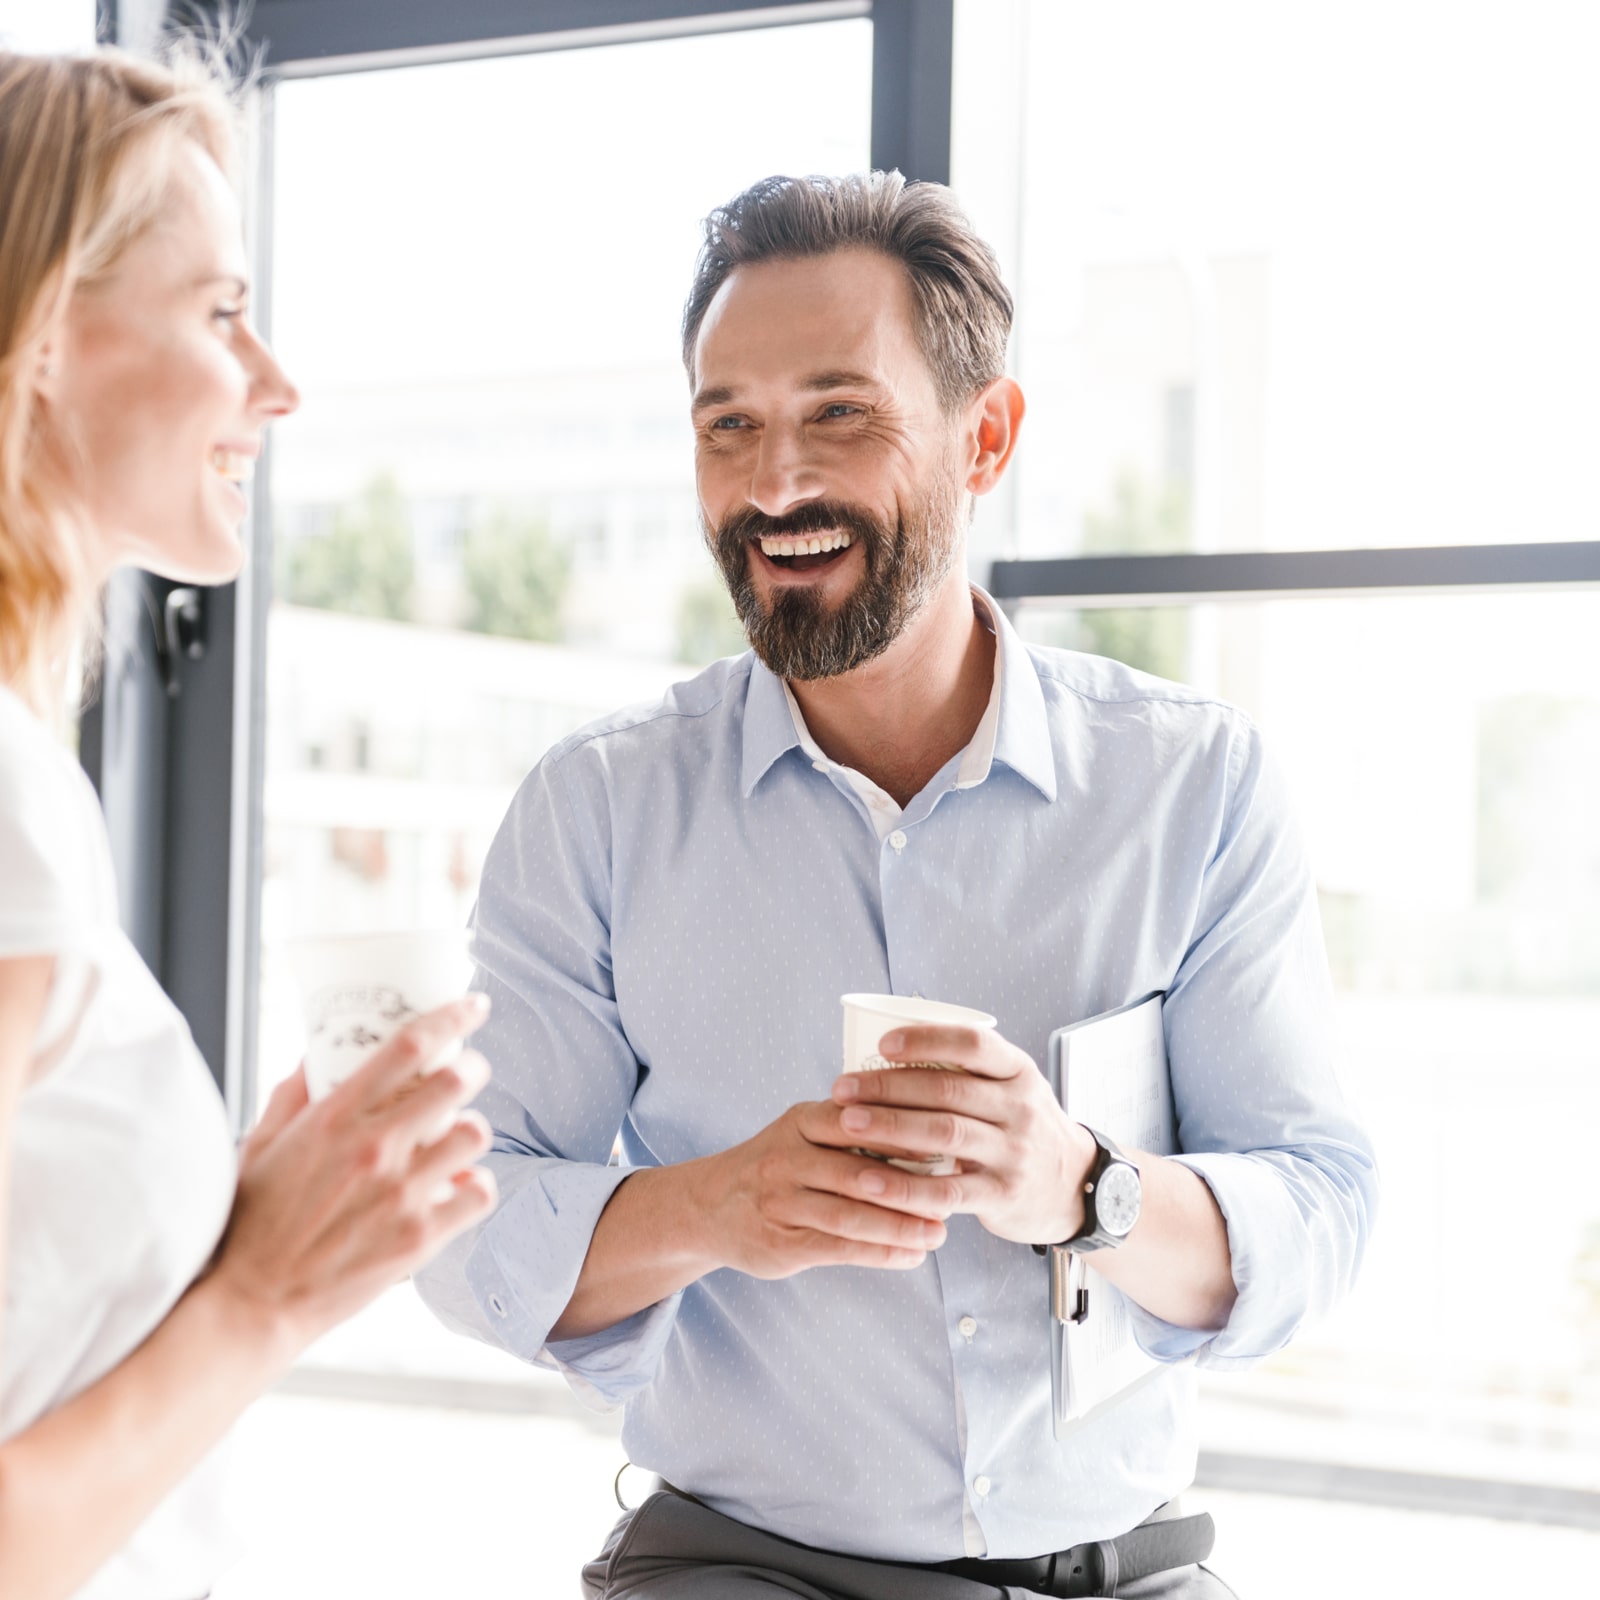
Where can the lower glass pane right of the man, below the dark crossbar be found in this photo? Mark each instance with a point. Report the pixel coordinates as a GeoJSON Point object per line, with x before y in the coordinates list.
{"type": "Point", "coordinates": [1444, 756]}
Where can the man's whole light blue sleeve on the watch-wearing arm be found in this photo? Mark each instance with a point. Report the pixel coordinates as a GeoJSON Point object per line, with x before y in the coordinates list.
{"type": "Point", "coordinates": [1262, 1116]}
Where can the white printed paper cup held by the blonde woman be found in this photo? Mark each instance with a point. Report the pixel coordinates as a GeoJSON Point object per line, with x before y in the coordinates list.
{"type": "Point", "coordinates": [361, 990]}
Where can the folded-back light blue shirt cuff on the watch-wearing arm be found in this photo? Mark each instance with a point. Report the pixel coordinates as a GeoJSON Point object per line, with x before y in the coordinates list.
{"type": "Point", "coordinates": [1268, 1244]}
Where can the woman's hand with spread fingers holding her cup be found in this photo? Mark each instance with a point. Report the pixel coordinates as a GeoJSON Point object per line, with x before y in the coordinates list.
{"type": "Point", "coordinates": [345, 1198]}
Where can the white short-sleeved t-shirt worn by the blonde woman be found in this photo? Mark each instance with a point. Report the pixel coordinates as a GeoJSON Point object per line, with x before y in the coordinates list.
{"type": "Point", "coordinates": [122, 1162]}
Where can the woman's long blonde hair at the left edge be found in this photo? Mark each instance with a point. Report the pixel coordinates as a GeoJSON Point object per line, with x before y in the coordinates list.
{"type": "Point", "coordinates": [86, 148]}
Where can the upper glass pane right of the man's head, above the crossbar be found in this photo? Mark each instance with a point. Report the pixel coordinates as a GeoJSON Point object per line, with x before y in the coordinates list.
{"type": "Point", "coordinates": [1290, 278]}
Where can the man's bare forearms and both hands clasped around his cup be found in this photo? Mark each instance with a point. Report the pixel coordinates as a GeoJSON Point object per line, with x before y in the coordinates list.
{"type": "Point", "coordinates": [796, 1196]}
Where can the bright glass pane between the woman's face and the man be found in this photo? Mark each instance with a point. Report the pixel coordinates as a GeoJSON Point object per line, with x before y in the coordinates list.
{"type": "Point", "coordinates": [484, 516]}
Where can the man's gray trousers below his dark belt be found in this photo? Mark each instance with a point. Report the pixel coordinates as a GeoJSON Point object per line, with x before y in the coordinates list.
{"type": "Point", "coordinates": [676, 1550]}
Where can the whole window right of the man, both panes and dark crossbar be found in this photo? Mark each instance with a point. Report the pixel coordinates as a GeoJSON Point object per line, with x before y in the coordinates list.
{"type": "Point", "coordinates": [1302, 284]}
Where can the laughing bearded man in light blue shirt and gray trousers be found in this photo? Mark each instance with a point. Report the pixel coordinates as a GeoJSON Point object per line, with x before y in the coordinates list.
{"type": "Point", "coordinates": [841, 1367]}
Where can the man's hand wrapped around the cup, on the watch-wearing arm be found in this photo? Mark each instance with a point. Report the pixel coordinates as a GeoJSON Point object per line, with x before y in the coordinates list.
{"type": "Point", "coordinates": [1022, 1159]}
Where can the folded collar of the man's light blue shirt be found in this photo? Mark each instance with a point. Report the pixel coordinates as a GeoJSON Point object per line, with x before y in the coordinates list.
{"type": "Point", "coordinates": [1015, 727]}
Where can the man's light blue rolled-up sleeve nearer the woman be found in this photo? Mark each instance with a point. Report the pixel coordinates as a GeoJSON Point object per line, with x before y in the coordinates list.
{"type": "Point", "coordinates": [564, 1081]}
